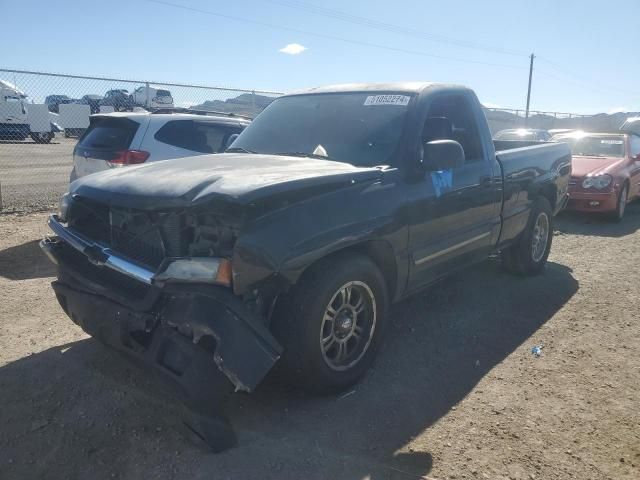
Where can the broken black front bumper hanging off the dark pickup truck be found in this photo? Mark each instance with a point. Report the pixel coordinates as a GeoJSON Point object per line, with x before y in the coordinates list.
{"type": "Point", "coordinates": [199, 340]}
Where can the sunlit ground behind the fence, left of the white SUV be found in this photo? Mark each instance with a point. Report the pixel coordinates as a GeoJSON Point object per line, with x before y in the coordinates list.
{"type": "Point", "coordinates": [33, 176]}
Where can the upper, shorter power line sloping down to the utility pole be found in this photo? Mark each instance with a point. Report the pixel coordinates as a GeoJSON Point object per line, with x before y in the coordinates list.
{"type": "Point", "coordinates": [393, 28]}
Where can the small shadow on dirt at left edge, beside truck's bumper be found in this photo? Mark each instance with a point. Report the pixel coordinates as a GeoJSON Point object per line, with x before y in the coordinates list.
{"type": "Point", "coordinates": [25, 261]}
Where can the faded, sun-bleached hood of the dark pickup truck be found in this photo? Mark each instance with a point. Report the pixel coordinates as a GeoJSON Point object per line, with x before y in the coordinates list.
{"type": "Point", "coordinates": [241, 178]}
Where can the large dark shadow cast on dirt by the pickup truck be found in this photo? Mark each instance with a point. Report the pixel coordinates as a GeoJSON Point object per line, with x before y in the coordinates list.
{"type": "Point", "coordinates": [91, 413]}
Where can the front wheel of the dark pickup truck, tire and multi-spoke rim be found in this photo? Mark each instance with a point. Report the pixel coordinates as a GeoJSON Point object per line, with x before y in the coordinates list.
{"type": "Point", "coordinates": [303, 323]}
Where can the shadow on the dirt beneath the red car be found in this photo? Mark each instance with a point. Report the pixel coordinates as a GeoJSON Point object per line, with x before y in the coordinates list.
{"type": "Point", "coordinates": [578, 223]}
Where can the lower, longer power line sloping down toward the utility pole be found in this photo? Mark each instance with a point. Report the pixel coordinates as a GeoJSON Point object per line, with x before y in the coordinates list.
{"type": "Point", "coordinates": [329, 37]}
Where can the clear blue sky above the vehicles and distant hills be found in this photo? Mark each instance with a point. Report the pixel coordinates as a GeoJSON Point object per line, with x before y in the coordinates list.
{"type": "Point", "coordinates": [586, 61]}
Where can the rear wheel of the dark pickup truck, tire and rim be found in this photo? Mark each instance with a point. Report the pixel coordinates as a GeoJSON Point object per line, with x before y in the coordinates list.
{"type": "Point", "coordinates": [528, 256]}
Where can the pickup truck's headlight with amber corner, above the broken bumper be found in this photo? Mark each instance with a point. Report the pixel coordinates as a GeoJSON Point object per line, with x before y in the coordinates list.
{"type": "Point", "coordinates": [216, 271]}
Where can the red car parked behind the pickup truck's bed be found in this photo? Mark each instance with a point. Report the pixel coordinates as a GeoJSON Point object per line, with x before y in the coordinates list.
{"type": "Point", "coordinates": [606, 171]}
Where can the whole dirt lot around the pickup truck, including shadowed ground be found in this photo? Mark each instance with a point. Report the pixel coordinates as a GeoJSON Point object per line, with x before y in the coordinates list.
{"type": "Point", "coordinates": [455, 393]}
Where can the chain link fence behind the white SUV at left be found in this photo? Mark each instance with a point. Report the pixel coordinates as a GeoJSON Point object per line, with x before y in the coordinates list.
{"type": "Point", "coordinates": [42, 115]}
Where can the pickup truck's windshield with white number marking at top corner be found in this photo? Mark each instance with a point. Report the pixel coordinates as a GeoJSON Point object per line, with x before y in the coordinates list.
{"type": "Point", "coordinates": [363, 129]}
